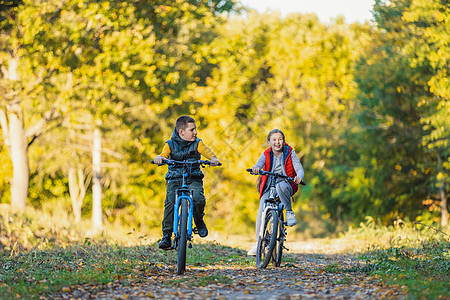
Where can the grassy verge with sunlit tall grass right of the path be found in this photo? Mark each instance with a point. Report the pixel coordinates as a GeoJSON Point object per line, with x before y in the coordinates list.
{"type": "Point", "coordinates": [412, 255]}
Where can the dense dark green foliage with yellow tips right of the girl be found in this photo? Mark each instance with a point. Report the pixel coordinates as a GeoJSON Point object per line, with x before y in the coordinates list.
{"type": "Point", "coordinates": [396, 174]}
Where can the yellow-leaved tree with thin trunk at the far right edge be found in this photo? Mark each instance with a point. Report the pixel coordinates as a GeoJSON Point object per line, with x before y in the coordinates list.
{"type": "Point", "coordinates": [429, 52]}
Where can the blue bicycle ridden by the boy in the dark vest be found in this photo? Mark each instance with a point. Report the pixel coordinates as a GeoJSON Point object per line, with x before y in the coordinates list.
{"type": "Point", "coordinates": [183, 211]}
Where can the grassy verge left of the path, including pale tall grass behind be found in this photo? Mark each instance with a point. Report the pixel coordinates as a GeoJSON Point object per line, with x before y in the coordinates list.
{"type": "Point", "coordinates": [40, 259]}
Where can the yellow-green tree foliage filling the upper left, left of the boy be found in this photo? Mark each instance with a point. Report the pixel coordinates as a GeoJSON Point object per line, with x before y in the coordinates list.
{"type": "Point", "coordinates": [115, 63]}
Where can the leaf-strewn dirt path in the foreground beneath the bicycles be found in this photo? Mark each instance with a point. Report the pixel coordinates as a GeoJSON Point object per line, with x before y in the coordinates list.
{"type": "Point", "coordinates": [303, 276]}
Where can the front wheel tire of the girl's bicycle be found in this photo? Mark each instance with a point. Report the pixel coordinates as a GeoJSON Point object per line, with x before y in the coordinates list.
{"type": "Point", "coordinates": [266, 243]}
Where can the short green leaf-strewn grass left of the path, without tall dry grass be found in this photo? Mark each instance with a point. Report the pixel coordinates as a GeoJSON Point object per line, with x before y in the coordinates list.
{"type": "Point", "coordinates": [34, 273]}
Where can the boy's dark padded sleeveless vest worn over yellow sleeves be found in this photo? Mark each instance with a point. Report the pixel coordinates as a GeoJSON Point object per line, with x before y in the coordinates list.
{"type": "Point", "coordinates": [178, 152]}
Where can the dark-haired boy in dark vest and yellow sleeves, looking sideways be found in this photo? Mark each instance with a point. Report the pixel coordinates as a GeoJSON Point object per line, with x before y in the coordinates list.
{"type": "Point", "coordinates": [184, 145]}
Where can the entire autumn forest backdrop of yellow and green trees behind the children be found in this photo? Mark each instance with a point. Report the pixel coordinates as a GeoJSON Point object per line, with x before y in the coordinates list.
{"type": "Point", "coordinates": [90, 91]}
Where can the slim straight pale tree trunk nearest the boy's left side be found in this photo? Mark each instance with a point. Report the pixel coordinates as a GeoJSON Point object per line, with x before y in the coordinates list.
{"type": "Point", "coordinates": [96, 183]}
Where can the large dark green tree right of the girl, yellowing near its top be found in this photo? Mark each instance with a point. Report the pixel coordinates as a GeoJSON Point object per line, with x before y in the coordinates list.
{"type": "Point", "coordinates": [397, 110]}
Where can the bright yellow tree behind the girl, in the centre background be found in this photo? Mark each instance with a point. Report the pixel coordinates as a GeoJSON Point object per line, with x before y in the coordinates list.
{"type": "Point", "coordinates": [294, 74]}
